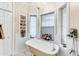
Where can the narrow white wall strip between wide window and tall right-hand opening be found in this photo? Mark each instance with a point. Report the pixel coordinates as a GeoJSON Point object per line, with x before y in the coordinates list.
{"type": "Point", "coordinates": [58, 38]}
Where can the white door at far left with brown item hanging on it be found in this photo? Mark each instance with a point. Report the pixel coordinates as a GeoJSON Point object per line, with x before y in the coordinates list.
{"type": "Point", "coordinates": [6, 43]}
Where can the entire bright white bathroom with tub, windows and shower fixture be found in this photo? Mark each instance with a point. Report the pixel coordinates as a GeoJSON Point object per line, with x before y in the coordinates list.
{"type": "Point", "coordinates": [40, 23]}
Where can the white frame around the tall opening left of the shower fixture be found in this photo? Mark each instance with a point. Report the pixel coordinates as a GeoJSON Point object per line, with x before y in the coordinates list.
{"type": "Point", "coordinates": [67, 4]}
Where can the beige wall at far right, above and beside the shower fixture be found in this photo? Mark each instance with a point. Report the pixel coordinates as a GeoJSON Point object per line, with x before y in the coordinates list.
{"type": "Point", "coordinates": [74, 17]}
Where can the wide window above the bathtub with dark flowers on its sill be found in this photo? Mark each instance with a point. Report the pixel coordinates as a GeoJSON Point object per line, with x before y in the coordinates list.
{"type": "Point", "coordinates": [48, 25]}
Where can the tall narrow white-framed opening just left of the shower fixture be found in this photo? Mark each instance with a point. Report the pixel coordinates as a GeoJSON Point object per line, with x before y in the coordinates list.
{"type": "Point", "coordinates": [64, 29]}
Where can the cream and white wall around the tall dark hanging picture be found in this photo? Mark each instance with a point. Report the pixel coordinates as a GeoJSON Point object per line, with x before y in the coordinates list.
{"type": "Point", "coordinates": [19, 42]}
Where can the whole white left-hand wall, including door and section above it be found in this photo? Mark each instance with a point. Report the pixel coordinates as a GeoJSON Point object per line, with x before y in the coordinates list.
{"type": "Point", "coordinates": [6, 20]}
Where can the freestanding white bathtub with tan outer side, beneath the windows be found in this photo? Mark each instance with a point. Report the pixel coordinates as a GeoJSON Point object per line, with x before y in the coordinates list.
{"type": "Point", "coordinates": [41, 47]}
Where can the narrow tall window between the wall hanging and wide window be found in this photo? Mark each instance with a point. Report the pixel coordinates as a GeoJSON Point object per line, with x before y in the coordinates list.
{"type": "Point", "coordinates": [33, 19]}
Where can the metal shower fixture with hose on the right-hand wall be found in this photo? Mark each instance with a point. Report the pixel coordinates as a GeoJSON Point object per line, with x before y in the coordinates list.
{"type": "Point", "coordinates": [74, 35]}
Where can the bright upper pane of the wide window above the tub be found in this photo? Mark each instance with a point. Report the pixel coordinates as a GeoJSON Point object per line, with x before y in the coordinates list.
{"type": "Point", "coordinates": [48, 19]}
